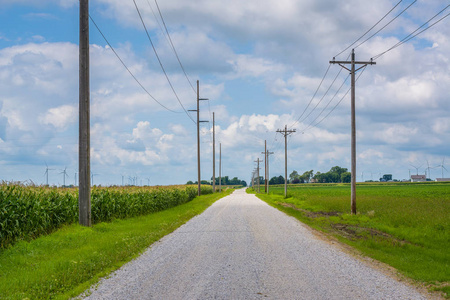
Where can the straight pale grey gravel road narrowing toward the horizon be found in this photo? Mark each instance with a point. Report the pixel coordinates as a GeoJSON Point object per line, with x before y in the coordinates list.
{"type": "Point", "coordinates": [241, 248]}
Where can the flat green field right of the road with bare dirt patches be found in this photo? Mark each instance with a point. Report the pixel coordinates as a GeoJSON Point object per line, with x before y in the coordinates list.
{"type": "Point", "coordinates": [404, 225]}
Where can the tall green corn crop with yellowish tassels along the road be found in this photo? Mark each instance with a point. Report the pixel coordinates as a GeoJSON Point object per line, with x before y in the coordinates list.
{"type": "Point", "coordinates": [28, 212]}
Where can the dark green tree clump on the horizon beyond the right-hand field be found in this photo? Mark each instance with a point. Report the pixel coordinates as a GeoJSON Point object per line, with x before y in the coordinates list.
{"type": "Point", "coordinates": [335, 175]}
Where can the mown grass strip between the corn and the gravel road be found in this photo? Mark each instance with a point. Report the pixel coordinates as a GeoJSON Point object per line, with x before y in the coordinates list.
{"type": "Point", "coordinates": [67, 262]}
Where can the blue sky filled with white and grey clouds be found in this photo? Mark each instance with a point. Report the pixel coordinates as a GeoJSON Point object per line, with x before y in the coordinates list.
{"type": "Point", "coordinates": [260, 63]}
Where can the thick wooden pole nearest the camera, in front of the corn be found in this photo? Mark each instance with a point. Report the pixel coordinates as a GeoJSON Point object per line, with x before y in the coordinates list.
{"type": "Point", "coordinates": [84, 193]}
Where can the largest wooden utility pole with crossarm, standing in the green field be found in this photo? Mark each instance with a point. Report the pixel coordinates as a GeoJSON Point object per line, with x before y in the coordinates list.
{"type": "Point", "coordinates": [353, 70]}
